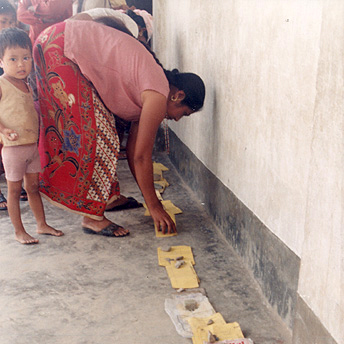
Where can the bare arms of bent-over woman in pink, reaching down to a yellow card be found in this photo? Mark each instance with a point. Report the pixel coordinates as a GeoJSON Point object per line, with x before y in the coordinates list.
{"type": "Point", "coordinates": [139, 152]}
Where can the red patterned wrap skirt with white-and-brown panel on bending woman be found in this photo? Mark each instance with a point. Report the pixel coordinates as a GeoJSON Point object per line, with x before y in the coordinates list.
{"type": "Point", "coordinates": [78, 139]}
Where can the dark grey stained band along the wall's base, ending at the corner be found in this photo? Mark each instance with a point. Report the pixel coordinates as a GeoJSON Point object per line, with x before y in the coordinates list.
{"type": "Point", "coordinates": [274, 265]}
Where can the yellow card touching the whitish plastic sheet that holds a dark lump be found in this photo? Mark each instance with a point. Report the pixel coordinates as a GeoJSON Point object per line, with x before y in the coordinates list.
{"type": "Point", "coordinates": [183, 277]}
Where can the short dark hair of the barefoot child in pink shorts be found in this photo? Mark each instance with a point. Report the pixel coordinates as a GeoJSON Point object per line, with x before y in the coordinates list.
{"type": "Point", "coordinates": [14, 37]}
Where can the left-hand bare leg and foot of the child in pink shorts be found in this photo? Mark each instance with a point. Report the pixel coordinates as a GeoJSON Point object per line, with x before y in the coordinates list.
{"type": "Point", "coordinates": [13, 195]}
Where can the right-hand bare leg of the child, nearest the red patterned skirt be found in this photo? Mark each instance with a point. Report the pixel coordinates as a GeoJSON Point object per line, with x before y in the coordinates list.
{"type": "Point", "coordinates": [36, 205]}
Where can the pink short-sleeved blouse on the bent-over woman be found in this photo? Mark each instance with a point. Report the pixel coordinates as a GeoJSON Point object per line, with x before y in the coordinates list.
{"type": "Point", "coordinates": [119, 66]}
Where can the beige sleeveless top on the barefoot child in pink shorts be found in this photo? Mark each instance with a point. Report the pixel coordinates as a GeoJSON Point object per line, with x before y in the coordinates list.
{"type": "Point", "coordinates": [17, 112]}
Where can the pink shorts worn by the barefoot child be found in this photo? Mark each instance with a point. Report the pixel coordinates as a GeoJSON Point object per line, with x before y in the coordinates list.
{"type": "Point", "coordinates": [19, 160]}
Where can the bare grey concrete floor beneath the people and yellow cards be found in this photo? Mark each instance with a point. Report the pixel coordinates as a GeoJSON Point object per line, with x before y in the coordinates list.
{"type": "Point", "coordinates": [82, 289]}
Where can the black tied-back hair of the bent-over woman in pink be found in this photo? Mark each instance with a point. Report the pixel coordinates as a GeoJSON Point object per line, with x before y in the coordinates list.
{"type": "Point", "coordinates": [192, 85]}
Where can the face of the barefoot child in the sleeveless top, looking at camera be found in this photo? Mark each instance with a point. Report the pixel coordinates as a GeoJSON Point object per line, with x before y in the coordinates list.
{"type": "Point", "coordinates": [17, 62]}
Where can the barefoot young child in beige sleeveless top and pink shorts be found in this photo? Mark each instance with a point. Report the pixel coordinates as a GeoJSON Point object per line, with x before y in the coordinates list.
{"type": "Point", "coordinates": [19, 132]}
